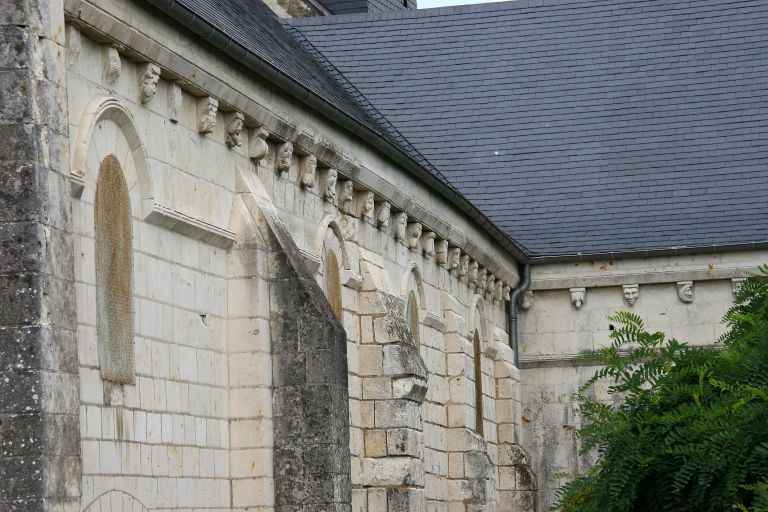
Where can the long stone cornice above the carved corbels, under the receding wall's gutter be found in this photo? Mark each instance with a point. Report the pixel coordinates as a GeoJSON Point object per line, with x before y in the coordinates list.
{"type": "Point", "coordinates": [137, 46]}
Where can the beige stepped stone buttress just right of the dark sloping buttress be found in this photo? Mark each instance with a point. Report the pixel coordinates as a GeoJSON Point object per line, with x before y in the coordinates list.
{"type": "Point", "coordinates": [394, 381]}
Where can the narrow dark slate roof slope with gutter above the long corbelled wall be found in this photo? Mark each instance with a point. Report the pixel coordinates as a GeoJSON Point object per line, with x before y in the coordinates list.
{"type": "Point", "coordinates": [249, 32]}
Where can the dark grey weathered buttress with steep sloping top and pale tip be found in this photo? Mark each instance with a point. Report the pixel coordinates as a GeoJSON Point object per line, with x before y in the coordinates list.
{"type": "Point", "coordinates": [311, 397]}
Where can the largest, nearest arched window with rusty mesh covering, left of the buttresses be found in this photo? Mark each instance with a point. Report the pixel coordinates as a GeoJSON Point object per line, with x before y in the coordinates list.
{"type": "Point", "coordinates": [114, 273]}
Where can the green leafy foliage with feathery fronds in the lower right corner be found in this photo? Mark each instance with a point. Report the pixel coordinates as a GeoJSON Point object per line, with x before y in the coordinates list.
{"type": "Point", "coordinates": [691, 430]}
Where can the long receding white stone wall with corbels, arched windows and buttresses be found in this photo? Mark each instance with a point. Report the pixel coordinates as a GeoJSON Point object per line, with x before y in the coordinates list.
{"type": "Point", "coordinates": [224, 378]}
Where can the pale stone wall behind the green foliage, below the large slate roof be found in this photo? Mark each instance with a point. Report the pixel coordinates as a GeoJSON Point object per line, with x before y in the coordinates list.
{"type": "Point", "coordinates": [567, 313]}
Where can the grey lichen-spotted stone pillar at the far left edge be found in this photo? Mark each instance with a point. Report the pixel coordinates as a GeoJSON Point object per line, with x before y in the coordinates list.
{"type": "Point", "coordinates": [39, 425]}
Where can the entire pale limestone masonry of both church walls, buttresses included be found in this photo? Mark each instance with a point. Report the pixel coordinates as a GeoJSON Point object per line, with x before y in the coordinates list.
{"type": "Point", "coordinates": [313, 327]}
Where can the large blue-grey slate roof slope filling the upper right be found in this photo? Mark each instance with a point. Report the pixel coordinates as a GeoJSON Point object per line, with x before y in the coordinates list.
{"type": "Point", "coordinates": [579, 126]}
